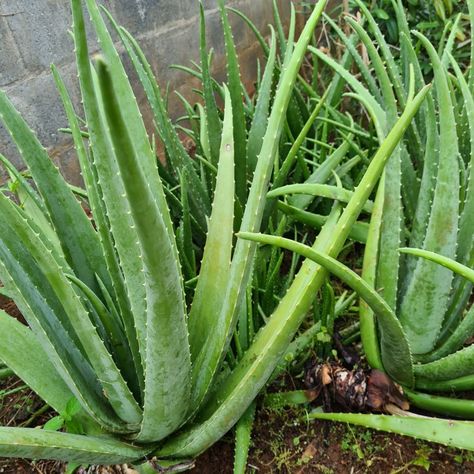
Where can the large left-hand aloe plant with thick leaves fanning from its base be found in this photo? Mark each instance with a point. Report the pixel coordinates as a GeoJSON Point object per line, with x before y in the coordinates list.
{"type": "Point", "coordinates": [105, 301]}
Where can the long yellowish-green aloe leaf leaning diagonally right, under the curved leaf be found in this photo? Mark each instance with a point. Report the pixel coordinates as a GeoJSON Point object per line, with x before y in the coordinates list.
{"type": "Point", "coordinates": [242, 385]}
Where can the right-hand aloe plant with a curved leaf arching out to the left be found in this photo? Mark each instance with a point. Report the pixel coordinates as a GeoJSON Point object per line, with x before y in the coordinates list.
{"type": "Point", "coordinates": [416, 314]}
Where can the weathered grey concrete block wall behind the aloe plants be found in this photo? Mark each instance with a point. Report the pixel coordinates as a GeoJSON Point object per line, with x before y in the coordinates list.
{"type": "Point", "coordinates": [34, 34]}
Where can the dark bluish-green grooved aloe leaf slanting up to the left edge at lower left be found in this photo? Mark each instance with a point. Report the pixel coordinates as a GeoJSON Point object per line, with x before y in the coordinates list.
{"type": "Point", "coordinates": [41, 308]}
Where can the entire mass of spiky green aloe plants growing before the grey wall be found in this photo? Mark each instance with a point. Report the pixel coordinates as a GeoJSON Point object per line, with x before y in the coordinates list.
{"type": "Point", "coordinates": [143, 319]}
